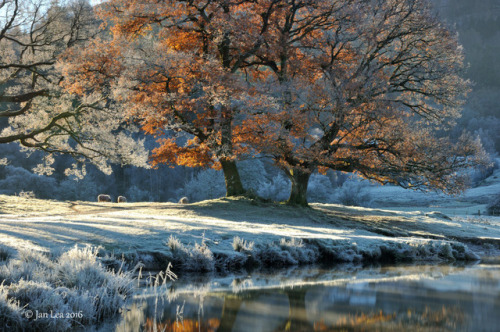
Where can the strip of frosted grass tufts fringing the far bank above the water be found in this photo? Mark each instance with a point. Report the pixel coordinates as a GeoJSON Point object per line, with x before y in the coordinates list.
{"type": "Point", "coordinates": [293, 251]}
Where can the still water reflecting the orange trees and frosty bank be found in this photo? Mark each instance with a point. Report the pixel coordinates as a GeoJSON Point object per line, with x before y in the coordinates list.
{"type": "Point", "coordinates": [346, 298]}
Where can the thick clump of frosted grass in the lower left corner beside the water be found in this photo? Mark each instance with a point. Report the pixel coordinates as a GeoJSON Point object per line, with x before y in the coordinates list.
{"type": "Point", "coordinates": [42, 293]}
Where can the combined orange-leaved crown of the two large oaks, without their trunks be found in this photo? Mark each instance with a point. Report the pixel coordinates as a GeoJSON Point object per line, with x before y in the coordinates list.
{"type": "Point", "coordinates": [324, 84]}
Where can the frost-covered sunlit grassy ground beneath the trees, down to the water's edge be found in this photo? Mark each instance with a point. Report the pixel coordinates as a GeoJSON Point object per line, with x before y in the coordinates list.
{"type": "Point", "coordinates": [231, 233]}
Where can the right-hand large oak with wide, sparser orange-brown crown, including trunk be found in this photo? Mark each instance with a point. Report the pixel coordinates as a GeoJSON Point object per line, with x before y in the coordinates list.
{"type": "Point", "coordinates": [365, 86]}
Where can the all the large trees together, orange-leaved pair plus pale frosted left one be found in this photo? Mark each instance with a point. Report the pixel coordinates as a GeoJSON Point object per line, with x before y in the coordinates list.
{"type": "Point", "coordinates": [357, 86]}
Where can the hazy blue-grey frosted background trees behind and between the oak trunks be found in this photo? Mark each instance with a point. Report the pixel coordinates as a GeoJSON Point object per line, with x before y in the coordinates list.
{"type": "Point", "coordinates": [168, 184]}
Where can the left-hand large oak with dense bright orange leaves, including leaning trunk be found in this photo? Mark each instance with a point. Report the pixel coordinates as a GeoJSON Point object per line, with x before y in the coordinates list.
{"type": "Point", "coordinates": [176, 65]}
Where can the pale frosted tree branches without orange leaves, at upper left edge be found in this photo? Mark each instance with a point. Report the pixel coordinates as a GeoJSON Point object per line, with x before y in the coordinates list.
{"type": "Point", "coordinates": [40, 114]}
